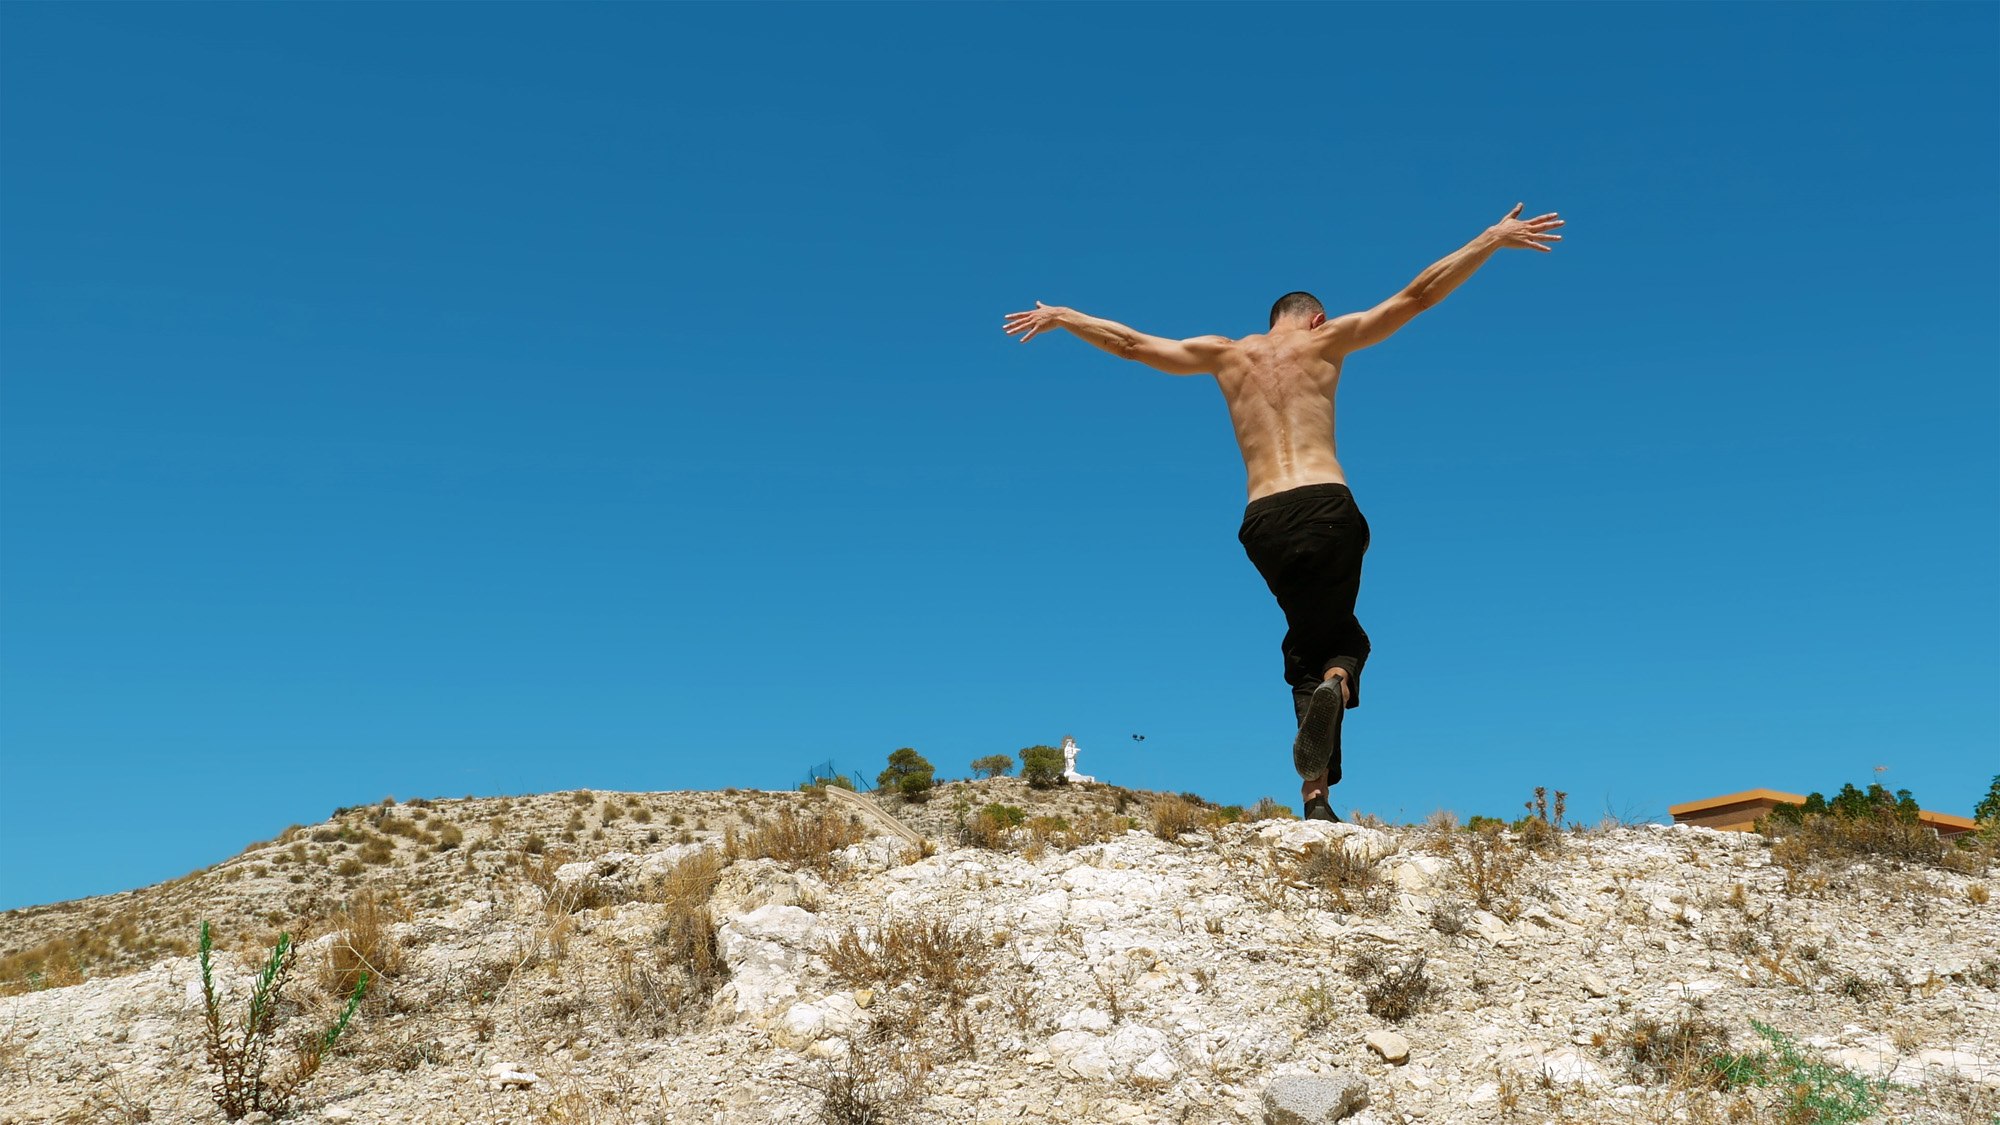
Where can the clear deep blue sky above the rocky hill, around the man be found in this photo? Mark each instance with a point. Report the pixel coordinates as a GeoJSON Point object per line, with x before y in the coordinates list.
{"type": "Point", "coordinates": [499, 399]}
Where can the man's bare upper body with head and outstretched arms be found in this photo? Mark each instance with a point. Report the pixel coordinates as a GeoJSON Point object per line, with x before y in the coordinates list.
{"type": "Point", "coordinates": [1281, 383]}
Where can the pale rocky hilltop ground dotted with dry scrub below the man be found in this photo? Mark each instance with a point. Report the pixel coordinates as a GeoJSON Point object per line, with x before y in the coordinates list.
{"type": "Point", "coordinates": [999, 954]}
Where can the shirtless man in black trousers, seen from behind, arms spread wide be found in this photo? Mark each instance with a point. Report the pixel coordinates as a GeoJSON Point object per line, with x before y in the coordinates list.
{"type": "Point", "coordinates": [1303, 531]}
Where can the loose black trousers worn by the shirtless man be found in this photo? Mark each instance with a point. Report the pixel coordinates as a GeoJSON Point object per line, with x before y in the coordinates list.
{"type": "Point", "coordinates": [1309, 545]}
